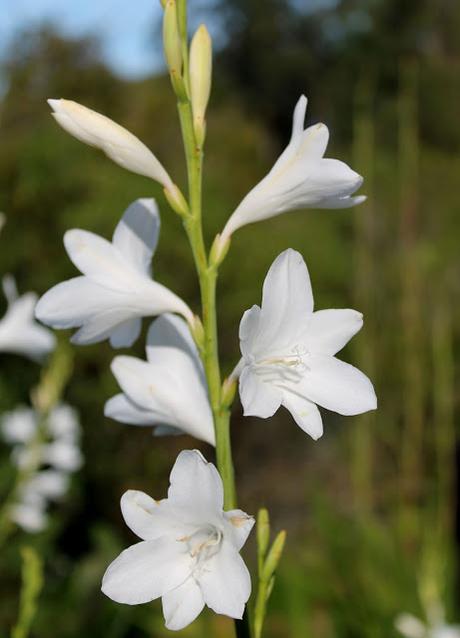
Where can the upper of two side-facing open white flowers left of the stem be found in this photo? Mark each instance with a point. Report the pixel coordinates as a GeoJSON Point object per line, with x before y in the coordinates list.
{"type": "Point", "coordinates": [116, 289]}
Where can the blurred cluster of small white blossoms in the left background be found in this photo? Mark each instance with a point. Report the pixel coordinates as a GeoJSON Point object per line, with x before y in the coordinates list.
{"type": "Point", "coordinates": [46, 454]}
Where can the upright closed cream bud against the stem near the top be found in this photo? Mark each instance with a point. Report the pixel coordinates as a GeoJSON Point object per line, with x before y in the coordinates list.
{"type": "Point", "coordinates": [200, 79]}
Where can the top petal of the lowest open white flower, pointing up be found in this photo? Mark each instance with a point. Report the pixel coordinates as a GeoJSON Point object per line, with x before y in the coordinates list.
{"type": "Point", "coordinates": [196, 485]}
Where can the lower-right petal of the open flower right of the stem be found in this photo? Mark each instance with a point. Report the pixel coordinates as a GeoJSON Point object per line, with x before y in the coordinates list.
{"type": "Point", "coordinates": [338, 386]}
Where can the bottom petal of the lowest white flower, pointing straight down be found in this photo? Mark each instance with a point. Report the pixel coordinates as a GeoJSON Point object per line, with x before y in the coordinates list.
{"type": "Point", "coordinates": [182, 605]}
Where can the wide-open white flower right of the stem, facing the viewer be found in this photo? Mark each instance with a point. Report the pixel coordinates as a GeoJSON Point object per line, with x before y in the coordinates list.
{"type": "Point", "coordinates": [288, 352]}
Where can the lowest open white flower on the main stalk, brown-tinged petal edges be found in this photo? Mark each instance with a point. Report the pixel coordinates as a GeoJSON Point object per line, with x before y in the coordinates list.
{"type": "Point", "coordinates": [189, 553]}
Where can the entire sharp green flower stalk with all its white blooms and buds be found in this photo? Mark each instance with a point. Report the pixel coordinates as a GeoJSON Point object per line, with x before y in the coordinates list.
{"type": "Point", "coordinates": [189, 553]}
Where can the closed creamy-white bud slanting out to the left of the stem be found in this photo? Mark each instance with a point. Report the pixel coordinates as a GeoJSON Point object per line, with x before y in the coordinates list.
{"type": "Point", "coordinates": [118, 144]}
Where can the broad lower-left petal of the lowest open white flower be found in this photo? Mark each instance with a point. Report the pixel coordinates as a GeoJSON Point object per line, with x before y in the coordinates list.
{"type": "Point", "coordinates": [146, 571]}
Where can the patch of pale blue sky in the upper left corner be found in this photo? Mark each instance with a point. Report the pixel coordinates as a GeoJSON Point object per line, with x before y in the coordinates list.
{"type": "Point", "coordinates": [124, 26]}
